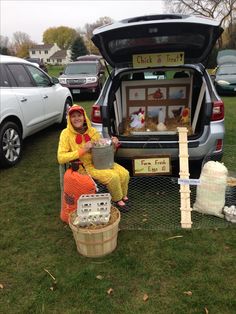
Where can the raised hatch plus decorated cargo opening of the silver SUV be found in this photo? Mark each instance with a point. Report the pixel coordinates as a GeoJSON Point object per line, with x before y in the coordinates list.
{"type": "Point", "coordinates": [155, 48]}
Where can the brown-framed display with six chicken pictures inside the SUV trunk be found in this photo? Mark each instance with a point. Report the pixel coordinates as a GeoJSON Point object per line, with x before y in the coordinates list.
{"type": "Point", "coordinates": [156, 105]}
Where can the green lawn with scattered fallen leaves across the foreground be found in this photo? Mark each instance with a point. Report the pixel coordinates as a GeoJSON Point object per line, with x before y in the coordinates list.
{"type": "Point", "coordinates": [145, 262]}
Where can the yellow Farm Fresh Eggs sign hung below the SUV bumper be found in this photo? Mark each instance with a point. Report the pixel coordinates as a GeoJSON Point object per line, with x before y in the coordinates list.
{"type": "Point", "coordinates": [151, 165]}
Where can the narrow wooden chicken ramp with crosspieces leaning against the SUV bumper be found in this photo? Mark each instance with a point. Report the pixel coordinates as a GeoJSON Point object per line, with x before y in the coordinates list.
{"type": "Point", "coordinates": [185, 207]}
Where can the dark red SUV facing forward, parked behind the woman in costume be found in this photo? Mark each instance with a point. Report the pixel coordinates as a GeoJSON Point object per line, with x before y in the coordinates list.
{"type": "Point", "coordinates": [85, 76]}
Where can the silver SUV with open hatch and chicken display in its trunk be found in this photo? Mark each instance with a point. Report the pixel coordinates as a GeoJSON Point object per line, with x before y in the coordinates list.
{"type": "Point", "coordinates": [161, 45]}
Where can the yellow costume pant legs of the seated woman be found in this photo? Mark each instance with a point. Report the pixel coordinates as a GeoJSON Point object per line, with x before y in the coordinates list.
{"type": "Point", "coordinates": [116, 180]}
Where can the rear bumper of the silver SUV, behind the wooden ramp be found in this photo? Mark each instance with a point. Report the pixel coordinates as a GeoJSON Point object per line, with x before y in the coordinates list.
{"type": "Point", "coordinates": [199, 150]}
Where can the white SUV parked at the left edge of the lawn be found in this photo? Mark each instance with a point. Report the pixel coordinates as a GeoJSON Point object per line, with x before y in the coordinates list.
{"type": "Point", "coordinates": [30, 101]}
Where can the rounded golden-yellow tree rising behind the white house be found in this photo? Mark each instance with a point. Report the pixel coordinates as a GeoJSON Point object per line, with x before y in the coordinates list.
{"type": "Point", "coordinates": [63, 36]}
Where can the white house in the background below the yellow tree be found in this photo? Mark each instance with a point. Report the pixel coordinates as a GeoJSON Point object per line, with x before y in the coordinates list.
{"type": "Point", "coordinates": [50, 54]}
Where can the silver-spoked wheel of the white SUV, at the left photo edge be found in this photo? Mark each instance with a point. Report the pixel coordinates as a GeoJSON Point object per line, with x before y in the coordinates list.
{"type": "Point", "coordinates": [10, 144]}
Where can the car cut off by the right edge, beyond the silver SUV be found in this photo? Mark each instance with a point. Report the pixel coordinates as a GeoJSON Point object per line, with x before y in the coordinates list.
{"type": "Point", "coordinates": [225, 75]}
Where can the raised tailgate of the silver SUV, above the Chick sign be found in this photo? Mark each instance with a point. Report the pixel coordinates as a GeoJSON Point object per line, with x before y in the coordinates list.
{"type": "Point", "coordinates": [193, 36]}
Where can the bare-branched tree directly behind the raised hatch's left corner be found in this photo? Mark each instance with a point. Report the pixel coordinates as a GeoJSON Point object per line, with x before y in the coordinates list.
{"type": "Point", "coordinates": [88, 33]}
